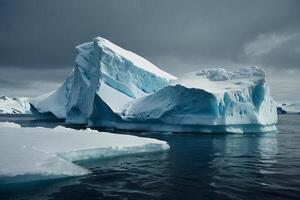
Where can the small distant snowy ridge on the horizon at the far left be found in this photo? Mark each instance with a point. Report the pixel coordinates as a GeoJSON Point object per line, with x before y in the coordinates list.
{"type": "Point", "coordinates": [14, 105]}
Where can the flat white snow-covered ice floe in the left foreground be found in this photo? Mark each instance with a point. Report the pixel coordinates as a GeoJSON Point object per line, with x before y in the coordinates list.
{"type": "Point", "coordinates": [43, 153]}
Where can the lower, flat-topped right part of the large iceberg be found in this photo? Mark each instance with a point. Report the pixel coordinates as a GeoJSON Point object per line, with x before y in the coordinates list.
{"type": "Point", "coordinates": [212, 100]}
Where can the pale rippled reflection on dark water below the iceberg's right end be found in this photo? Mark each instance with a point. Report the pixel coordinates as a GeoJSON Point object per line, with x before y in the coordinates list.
{"type": "Point", "coordinates": [239, 161]}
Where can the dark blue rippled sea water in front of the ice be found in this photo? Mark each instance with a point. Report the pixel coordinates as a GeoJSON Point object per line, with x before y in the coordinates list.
{"type": "Point", "coordinates": [203, 166]}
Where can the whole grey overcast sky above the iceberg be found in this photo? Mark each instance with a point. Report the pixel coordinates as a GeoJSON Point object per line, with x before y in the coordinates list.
{"type": "Point", "coordinates": [37, 38]}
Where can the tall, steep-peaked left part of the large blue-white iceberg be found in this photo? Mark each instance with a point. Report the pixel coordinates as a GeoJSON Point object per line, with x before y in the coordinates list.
{"type": "Point", "coordinates": [104, 74]}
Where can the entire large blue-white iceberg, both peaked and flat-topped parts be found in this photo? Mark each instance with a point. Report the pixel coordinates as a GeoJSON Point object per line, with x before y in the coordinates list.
{"type": "Point", "coordinates": [115, 88]}
